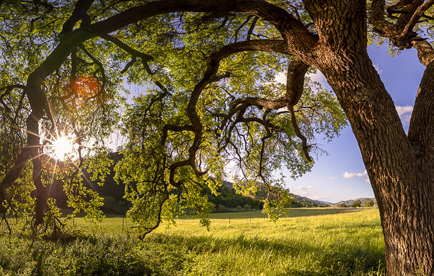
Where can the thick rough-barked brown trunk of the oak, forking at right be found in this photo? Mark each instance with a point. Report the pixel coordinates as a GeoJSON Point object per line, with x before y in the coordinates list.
{"type": "Point", "coordinates": [399, 165]}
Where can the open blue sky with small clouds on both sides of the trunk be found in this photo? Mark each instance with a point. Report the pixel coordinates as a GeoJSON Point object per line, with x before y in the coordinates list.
{"type": "Point", "coordinates": [341, 175]}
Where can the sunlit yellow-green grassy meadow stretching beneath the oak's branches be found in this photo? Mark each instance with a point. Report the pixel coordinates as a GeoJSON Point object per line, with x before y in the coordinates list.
{"type": "Point", "coordinates": [314, 241]}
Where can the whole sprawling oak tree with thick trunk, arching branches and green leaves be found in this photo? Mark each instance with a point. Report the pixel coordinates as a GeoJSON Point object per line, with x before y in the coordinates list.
{"type": "Point", "coordinates": [208, 68]}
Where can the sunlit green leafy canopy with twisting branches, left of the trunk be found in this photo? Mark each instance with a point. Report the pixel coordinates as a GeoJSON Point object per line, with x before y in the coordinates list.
{"type": "Point", "coordinates": [206, 101]}
